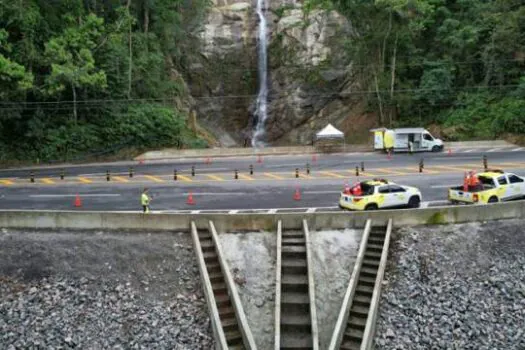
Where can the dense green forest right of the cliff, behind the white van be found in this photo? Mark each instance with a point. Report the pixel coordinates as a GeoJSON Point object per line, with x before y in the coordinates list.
{"type": "Point", "coordinates": [456, 63]}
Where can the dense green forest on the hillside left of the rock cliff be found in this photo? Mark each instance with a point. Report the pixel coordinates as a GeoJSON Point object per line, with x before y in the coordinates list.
{"type": "Point", "coordinates": [83, 77]}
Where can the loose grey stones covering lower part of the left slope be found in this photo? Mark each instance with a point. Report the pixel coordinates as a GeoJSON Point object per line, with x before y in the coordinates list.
{"type": "Point", "coordinates": [85, 313]}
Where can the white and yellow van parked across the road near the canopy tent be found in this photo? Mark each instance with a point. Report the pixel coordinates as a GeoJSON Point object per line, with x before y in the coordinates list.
{"type": "Point", "coordinates": [405, 139]}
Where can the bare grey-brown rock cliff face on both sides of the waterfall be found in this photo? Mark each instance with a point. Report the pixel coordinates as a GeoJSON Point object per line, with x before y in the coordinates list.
{"type": "Point", "coordinates": [310, 77]}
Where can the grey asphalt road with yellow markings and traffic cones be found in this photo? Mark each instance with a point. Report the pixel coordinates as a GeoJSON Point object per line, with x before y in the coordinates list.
{"type": "Point", "coordinates": [271, 187]}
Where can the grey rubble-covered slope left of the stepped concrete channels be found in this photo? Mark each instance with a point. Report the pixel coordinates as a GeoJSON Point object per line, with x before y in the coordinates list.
{"type": "Point", "coordinates": [94, 290]}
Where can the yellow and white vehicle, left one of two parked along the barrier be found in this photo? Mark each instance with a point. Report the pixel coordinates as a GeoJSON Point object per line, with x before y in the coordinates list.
{"type": "Point", "coordinates": [378, 194]}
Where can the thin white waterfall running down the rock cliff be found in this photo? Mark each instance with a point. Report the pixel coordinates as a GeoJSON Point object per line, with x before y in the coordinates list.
{"type": "Point", "coordinates": [262, 96]}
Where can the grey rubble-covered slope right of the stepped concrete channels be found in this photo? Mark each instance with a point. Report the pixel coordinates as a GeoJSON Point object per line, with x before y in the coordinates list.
{"type": "Point", "coordinates": [455, 287]}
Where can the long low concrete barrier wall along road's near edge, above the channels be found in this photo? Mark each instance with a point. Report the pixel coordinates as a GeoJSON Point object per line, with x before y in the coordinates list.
{"type": "Point", "coordinates": [255, 222]}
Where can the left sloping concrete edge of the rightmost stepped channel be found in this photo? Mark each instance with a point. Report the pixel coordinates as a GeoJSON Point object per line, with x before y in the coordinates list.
{"type": "Point", "coordinates": [344, 312]}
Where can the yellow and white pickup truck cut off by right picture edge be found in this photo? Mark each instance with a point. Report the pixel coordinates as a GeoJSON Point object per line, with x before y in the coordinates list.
{"type": "Point", "coordinates": [494, 186]}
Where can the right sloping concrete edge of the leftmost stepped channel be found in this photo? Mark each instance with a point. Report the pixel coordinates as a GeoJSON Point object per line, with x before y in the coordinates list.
{"type": "Point", "coordinates": [246, 333]}
